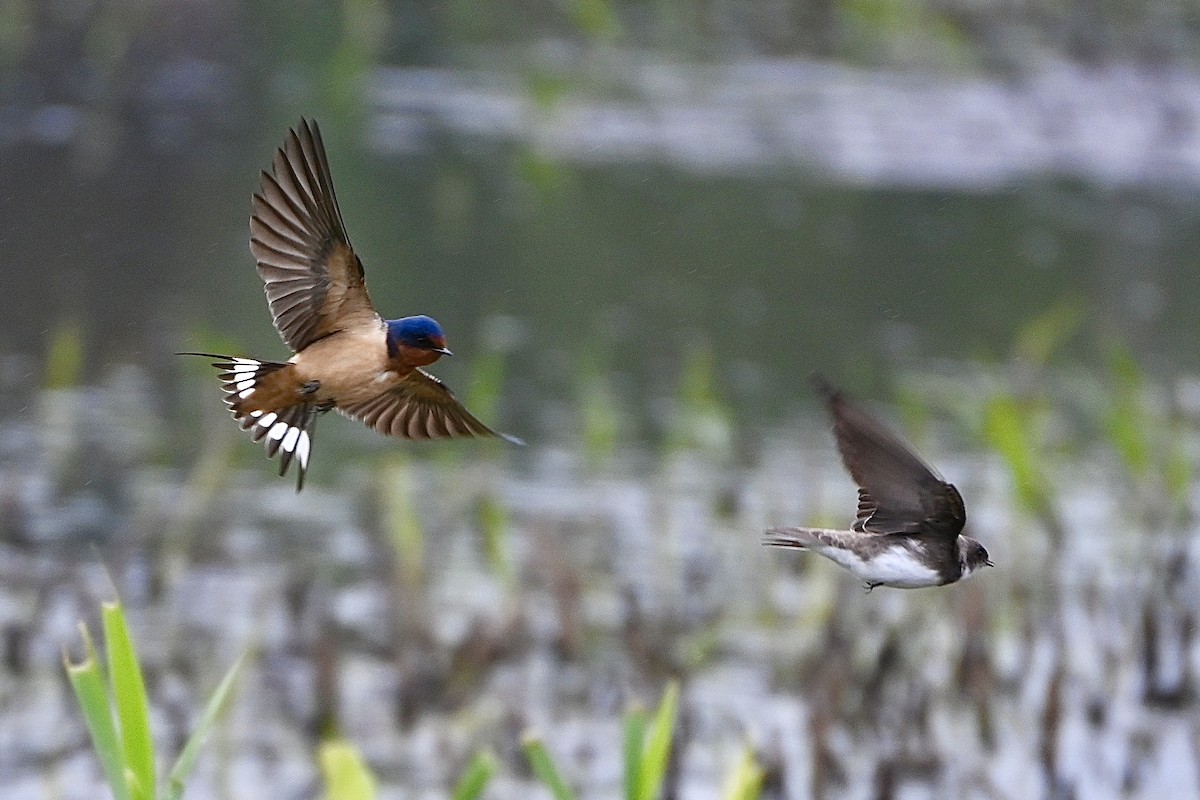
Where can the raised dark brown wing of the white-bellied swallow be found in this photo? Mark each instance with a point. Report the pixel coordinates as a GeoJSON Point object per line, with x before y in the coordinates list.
{"type": "Point", "coordinates": [899, 492]}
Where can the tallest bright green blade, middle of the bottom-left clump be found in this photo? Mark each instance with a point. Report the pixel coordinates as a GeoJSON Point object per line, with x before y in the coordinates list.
{"type": "Point", "coordinates": [133, 706]}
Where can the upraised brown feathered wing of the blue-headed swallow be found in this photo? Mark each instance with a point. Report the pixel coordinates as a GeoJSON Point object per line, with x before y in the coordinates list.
{"type": "Point", "coordinates": [314, 280]}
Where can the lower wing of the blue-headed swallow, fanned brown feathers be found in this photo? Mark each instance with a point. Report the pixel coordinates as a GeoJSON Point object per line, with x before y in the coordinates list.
{"type": "Point", "coordinates": [421, 407]}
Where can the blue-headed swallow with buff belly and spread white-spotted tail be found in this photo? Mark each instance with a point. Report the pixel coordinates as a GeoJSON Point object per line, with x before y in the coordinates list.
{"type": "Point", "coordinates": [346, 356]}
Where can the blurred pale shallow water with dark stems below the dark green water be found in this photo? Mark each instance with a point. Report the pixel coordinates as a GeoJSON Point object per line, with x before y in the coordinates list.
{"type": "Point", "coordinates": [1069, 670]}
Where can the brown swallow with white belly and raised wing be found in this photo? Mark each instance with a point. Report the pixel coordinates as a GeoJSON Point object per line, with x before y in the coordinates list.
{"type": "Point", "coordinates": [909, 528]}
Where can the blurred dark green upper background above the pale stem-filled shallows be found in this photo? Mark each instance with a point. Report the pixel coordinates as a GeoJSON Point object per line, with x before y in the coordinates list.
{"type": "Point", "coordinates": [592, 187]}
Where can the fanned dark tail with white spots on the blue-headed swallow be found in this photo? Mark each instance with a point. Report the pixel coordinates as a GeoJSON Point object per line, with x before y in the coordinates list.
{"type": "Point", "coordinates": [287, 430]}
